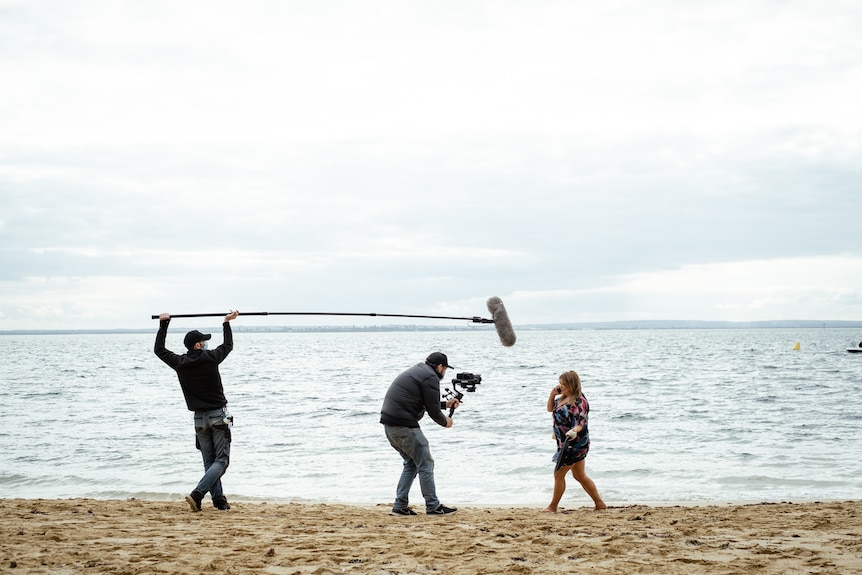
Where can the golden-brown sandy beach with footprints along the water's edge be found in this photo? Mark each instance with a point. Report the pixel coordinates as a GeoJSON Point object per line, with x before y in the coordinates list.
{"type": "Point", "coordinates": [130, 537]}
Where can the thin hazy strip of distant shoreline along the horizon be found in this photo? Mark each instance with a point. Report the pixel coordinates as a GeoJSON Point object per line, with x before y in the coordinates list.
{"type": "Point", "coordinates": [611, 325]}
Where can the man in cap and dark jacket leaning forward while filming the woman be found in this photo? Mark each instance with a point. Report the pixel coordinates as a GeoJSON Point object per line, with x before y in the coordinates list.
{"type": "Point", "coordinates": [410, 395]}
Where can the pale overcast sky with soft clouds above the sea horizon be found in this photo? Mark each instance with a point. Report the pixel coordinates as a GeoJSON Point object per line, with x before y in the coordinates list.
{"type": "Point", "coordinates": [584, 161]}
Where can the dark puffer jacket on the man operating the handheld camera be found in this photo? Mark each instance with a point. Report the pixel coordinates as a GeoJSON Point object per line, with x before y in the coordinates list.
{"type": "Point", "coordinates": [410, 395]}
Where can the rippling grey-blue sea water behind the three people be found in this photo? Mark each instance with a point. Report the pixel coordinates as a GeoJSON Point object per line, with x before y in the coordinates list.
{"type": "Point", "coordinates": [676, 416]}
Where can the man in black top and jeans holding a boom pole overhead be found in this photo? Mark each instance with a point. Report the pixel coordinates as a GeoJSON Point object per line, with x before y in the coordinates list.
{"type": "Point", "coordinates": [200, 381]}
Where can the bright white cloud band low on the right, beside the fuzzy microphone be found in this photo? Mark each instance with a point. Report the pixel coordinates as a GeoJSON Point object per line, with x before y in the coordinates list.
{"type": "Point", "coordinates": [761, 290]}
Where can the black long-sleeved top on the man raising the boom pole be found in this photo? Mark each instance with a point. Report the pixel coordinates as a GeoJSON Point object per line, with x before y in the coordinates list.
{"type": "Point", "coordinates": [197, 370]}
